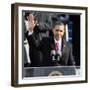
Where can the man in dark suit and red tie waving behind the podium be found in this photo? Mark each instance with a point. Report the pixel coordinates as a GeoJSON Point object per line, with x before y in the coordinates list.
{"type": "Point", "coordinates": [56, 51]}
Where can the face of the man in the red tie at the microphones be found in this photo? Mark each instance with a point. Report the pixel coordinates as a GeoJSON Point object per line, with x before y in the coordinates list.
{"type": "Point", "coordinates": [58, 31]}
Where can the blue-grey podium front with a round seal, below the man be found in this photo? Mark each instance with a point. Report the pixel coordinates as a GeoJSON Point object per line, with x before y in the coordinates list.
{"type": "Point", "coordinates": [49, 71]}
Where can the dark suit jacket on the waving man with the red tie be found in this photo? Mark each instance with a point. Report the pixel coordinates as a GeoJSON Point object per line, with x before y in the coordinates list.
{"type": "Point", "coordinates": [45, 46]}
